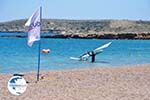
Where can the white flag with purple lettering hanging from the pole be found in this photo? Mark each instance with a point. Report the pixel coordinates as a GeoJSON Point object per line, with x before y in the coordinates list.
{"type": "Point", "coordinates": [34, 25]}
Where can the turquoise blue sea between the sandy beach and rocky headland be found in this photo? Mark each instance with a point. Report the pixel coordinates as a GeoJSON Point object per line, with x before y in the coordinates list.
{"type": "Point", "coordinates": [17, 57]}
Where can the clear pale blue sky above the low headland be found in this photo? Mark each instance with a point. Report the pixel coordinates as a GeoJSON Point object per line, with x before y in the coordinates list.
{"type": "Point", "coordinates": [76, 9]}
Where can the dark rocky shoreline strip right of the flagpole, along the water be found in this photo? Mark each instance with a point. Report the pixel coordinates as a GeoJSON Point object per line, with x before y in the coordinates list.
{"type": "Point", "coordinates": [143, 36]}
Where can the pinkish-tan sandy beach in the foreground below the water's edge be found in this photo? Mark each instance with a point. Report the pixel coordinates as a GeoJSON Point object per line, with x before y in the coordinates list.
{"type": "Point", "coordinates": [127, 83]}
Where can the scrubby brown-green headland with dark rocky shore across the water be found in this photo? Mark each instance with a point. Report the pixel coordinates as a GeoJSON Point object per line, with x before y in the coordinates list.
{"type": "Point", "coordinates": [101, 29]}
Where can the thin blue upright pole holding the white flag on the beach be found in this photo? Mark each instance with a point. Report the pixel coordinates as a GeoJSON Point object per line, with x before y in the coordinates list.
{"type": "Point", "coordinates": [39, 54]}
